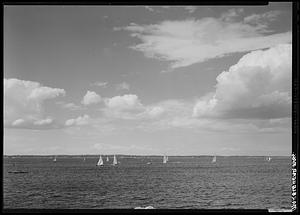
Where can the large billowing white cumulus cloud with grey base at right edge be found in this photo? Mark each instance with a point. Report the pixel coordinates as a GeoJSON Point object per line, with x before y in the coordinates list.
{"type": "Point", "coordinates": [258, 86]}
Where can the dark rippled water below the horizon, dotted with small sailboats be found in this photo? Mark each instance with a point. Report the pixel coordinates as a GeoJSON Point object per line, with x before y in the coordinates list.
{"type": "Point", "coordinates": [184, 182]}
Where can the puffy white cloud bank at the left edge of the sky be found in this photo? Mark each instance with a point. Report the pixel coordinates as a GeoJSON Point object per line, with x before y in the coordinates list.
{"type": "Point", "coordinates": [24, 101]}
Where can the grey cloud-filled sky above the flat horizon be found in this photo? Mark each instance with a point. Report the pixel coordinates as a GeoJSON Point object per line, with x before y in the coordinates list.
{"type": "Point", "coordinates": [148, 80]}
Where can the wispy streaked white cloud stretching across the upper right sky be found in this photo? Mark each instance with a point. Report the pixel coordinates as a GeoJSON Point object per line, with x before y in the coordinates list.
{"type": "Point", "coordinates": [186, 42]}
